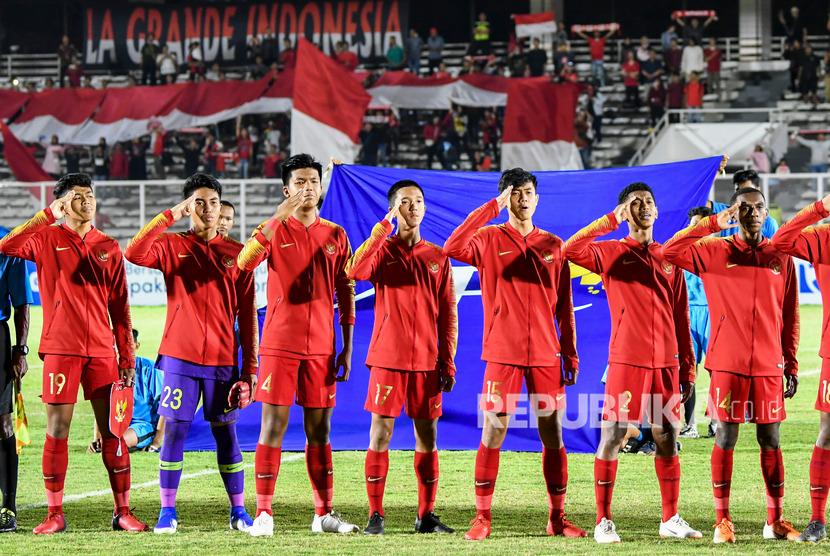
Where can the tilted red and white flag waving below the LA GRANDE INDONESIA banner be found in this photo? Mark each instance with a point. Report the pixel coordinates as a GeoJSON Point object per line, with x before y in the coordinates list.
{"type": "Point", "coordinates": [328, 107]}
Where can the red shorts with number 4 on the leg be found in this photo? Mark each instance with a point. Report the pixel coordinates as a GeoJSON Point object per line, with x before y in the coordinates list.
{"type": "Point", "coordinates": [280, 379]}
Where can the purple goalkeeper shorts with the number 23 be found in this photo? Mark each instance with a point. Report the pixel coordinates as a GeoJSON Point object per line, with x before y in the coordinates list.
{"type": "Point", "coordinates": [180, 395]}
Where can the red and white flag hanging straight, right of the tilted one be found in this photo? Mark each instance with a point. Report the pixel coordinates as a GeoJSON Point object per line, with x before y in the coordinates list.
{"type": "Point", "coordinates": [539, 126]}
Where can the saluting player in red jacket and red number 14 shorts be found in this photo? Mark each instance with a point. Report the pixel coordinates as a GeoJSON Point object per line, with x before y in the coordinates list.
{"type": "Point", "coordinates": [747, 280]}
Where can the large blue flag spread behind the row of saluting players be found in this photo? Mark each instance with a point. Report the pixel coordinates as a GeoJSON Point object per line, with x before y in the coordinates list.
{"type": "Point", "coordinates": [568, 201]}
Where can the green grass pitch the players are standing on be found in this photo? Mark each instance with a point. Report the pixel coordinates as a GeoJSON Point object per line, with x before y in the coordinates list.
{"type": "Point", "coordinates": [519, 505]}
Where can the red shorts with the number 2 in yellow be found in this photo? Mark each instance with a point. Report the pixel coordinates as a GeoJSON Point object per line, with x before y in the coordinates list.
{"type": "Point", "coordinates": [630, 390]}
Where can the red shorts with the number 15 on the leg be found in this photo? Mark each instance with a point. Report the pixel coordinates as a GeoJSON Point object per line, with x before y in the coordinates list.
{"type": "Point", "coordinates": [502, 388]}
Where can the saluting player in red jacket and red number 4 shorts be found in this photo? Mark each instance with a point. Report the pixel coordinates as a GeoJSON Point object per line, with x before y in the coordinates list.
{"type": "Point", "coordinates": [306, 259]}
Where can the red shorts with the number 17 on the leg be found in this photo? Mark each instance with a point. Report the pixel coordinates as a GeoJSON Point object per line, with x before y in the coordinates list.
{"type": "Point", "coordinates": [389, 389]}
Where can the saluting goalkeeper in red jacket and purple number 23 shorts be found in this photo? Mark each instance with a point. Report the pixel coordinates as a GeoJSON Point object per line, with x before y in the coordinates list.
{"type": "Point", "coordinates": [206, 292]}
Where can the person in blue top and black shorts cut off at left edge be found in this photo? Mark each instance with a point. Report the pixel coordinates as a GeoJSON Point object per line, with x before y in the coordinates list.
{"type": "Point", "coordinates": [16, 292]}
